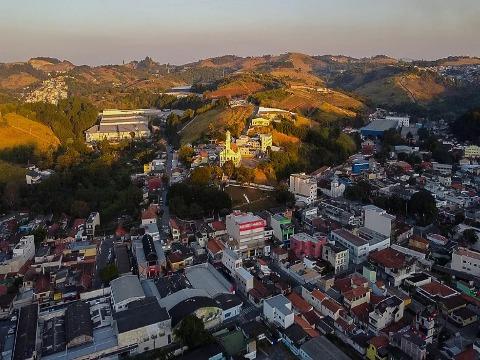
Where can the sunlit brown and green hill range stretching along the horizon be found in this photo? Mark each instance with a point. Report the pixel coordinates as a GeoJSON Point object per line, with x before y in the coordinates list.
{"type": "Point", "coordinates": [380, 80]}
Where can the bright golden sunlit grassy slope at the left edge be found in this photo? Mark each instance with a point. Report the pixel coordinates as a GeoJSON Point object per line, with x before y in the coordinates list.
{"type": "Point", "coordinates": [16, 130]}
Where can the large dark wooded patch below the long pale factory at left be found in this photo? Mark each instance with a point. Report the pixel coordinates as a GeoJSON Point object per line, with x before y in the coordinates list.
{"type": "Point", "coordinates": [80, 184]}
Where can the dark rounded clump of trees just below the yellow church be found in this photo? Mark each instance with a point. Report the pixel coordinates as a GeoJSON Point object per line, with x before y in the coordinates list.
{"type": "Point", "coordinates": [188, 200]}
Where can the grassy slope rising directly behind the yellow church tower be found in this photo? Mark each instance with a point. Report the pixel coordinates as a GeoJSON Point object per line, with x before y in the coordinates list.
{"type": "Point", "coordinates": [213, 123]}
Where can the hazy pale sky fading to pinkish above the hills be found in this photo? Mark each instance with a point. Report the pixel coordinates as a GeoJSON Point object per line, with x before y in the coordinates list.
{"type": "Point", "coordinates": [179, 31]}
